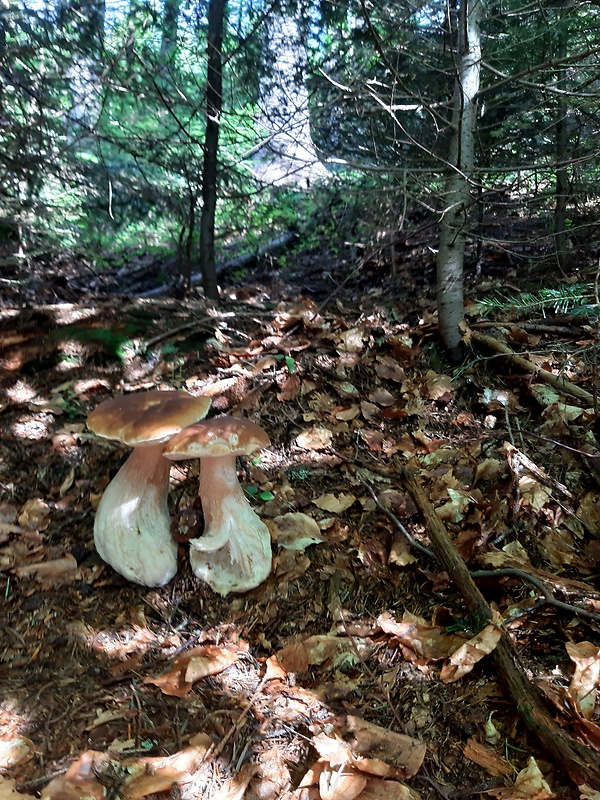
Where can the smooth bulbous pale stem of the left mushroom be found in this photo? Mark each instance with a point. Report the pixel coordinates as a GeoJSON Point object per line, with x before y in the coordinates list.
{"type": "Point", "coordinates": [132, 529]}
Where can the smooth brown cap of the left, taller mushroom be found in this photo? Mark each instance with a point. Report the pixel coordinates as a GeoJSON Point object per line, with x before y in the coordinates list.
{"type": "Point", "coordinates": [147, 417]}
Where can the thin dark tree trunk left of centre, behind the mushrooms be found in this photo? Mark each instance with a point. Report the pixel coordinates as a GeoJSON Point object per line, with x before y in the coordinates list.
{"type": "Point", "coordinates": [214, 104]}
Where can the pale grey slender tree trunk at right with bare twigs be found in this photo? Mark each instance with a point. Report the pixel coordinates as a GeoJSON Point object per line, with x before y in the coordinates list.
{"type": "Point", "coordinates": [454, 226]}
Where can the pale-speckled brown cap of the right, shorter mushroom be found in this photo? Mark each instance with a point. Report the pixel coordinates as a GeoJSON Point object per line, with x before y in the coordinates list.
{"type": "Point", "coordinates": [221, 436]}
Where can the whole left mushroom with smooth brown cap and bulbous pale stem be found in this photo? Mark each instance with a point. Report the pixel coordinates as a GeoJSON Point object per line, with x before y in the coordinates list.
{"type": "Point", "coordinates": [132, 526]}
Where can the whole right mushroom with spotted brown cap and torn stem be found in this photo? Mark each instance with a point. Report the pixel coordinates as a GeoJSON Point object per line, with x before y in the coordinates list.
{"type": "Point", "coordinates": [234, 554]}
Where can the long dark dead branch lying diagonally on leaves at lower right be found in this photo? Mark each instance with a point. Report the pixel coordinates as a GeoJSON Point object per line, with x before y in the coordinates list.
{"type": "Point", "coordinates": [578, 761]}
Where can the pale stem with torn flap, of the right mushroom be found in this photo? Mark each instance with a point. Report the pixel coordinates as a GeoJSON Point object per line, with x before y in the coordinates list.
{"type": "Point", "coordinates": [234, 555]}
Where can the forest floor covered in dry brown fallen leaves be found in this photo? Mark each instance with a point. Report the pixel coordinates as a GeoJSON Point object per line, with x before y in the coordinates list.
{"type": "Point", "coordinates": [345, 674]}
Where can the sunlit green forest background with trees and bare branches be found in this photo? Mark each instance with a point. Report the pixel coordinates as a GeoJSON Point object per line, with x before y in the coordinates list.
{"type": "Point", "coordinates": [195, 132]}
